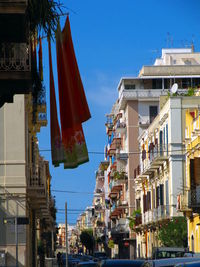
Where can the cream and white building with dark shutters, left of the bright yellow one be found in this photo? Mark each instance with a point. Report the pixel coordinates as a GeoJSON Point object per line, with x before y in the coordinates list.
{"type": "Point", "coordinates": [161, 171]}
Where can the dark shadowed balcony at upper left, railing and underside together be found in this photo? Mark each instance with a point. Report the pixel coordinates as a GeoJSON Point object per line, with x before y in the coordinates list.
{"type": "Point", "coordinates": [15, 70]}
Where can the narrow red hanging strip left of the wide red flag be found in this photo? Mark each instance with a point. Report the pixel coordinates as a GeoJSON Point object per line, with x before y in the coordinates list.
{"type": "Point", "coordinates": [57, 150]}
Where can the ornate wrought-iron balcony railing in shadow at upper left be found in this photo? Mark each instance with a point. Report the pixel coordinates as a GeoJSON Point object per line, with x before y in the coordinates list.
{"type": "Point", "coordinates": [15, 57]}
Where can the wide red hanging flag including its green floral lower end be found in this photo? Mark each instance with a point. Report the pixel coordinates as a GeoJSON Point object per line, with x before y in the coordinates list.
{"type": "Point", "coordinates": [73, 104]}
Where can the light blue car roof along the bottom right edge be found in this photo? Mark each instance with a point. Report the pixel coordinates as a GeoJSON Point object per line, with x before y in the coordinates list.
{"type": "Point", "coordinates": [171, 262]}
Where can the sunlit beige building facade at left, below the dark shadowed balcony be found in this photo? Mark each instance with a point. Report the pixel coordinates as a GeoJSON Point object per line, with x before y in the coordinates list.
{"type": "Point", "coordinates": [25, 183]}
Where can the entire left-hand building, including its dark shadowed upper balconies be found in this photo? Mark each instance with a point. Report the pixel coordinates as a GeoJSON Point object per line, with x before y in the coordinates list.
{"type": "Point", "coordinates": [27, 208]}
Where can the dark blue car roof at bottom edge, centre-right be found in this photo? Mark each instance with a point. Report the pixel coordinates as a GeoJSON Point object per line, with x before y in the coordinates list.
{"type": "Point", "coordinates": [122, 263]}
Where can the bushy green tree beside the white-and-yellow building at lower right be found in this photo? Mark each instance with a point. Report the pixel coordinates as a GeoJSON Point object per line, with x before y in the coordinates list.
{"type": "Point", "coordinates": [174, 233]}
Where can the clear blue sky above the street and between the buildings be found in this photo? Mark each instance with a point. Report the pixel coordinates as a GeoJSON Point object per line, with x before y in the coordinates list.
{"type": "Point", "coordinates": [112, 39]}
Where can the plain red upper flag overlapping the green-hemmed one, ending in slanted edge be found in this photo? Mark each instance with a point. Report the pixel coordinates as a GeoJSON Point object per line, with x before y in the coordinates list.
{"type": "Point", "coordinates": [73, 104]}
